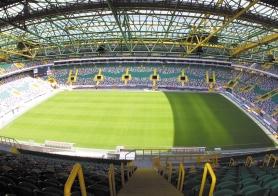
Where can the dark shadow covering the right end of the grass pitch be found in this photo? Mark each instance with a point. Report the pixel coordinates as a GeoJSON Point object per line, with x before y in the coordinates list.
{"type": "Point", "coordinates": [189, 131]}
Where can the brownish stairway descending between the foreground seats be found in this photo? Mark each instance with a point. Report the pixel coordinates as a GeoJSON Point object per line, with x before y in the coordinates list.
{"type": "Point", "coordinates": [148, 182]}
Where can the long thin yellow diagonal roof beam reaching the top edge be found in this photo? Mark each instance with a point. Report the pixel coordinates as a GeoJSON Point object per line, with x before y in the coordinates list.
{"type": "Point", "coordinates": [225, 24]}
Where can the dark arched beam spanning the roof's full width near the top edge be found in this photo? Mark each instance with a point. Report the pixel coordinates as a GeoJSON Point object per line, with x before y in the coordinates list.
{"type": "Point", "coordinates": [184, 6]}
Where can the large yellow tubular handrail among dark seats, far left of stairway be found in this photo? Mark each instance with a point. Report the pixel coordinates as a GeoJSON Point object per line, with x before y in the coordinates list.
{"type": "Point", "coordinates": [76, 170]}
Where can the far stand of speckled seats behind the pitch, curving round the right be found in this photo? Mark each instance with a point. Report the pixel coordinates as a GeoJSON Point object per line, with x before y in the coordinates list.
{"type": "Point", "coordinates": [257, 84]}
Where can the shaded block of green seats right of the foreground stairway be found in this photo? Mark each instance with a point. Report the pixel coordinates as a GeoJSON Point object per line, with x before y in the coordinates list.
{"type": "Point", "coordinates": [245, 176]}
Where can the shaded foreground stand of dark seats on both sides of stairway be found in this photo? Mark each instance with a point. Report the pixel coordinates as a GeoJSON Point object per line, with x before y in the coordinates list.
{"type": "Point", "coordinates": [33, 173]}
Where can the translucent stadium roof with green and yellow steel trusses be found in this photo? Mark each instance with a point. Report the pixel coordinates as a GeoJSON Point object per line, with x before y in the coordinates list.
{"type": "Point", "coordinates": [47, 29]}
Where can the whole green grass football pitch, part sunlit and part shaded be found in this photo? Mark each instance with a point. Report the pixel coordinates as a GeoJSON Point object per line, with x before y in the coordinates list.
{"type": "Point", "coordinates": [106, 119]}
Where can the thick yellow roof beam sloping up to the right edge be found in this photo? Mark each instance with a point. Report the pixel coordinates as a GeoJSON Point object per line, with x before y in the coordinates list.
{"type": "Point", "coordinates": [247, 46]}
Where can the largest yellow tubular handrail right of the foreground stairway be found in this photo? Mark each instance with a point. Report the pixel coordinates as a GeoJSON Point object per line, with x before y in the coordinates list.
{"type": "Point", "coordinates": [207, 169]}
